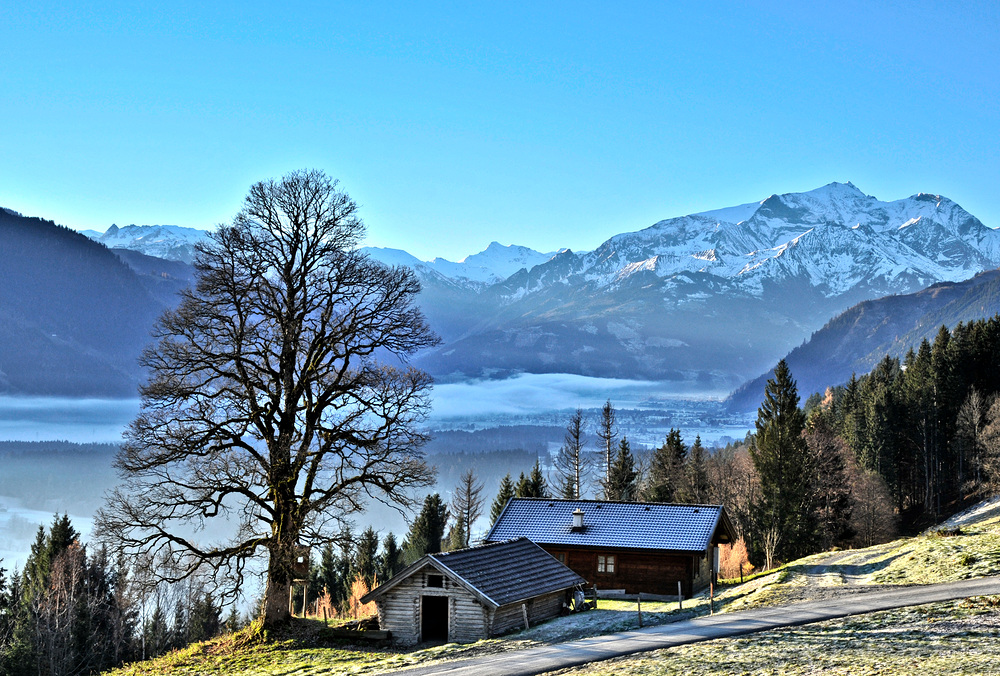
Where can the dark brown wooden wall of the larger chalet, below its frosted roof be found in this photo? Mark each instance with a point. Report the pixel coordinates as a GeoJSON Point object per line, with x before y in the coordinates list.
{"type": "Point", "coordinates": [635, 572]}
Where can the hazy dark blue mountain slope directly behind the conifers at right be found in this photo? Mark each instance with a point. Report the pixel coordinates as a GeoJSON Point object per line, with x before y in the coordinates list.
{"type": "Point", "coordinates": [855, 340]}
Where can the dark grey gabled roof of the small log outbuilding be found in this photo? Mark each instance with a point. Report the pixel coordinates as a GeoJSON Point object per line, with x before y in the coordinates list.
{"type": "Point", "coordinates": [498, 572]}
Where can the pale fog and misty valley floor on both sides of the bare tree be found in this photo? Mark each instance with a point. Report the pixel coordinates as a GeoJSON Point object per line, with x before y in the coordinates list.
{"type": "Point", "coordinates": [491, 426]}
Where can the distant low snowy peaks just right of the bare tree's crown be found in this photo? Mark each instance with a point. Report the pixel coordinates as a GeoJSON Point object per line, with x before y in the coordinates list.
{"type": "Point", "coordinates": [495, 264]}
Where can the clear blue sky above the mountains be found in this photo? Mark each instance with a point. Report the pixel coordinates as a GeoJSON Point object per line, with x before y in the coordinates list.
{"type": "Point", "coordinates": [455, 124]}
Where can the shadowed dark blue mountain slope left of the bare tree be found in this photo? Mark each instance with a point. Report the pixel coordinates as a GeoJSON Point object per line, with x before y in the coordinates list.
{"type": "Point", "coordinates": [73, 316]}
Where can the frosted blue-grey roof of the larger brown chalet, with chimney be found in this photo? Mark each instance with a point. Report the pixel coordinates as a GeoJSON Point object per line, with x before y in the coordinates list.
{"type": "Point", "coordinates": [625, 525]}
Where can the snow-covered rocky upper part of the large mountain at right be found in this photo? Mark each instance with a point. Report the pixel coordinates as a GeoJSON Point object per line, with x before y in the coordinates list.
{"type": "Point", "coordinates": [834, 239]}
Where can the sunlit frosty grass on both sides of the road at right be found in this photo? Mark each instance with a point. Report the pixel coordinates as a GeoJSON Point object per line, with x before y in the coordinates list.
{"type": "Point", "coordinates": [959, 637]}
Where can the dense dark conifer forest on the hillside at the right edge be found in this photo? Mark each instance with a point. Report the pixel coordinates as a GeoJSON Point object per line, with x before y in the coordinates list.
{"type": "Point", "coordinates": [929, 424]}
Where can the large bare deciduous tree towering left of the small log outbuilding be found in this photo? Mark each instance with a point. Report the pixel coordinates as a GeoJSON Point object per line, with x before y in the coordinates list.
{"type": "Point", "coordinates": [275, 404]}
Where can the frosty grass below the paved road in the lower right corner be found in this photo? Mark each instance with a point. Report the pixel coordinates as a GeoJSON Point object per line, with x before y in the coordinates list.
{"type": "Point", "coordinates": [959, 637]}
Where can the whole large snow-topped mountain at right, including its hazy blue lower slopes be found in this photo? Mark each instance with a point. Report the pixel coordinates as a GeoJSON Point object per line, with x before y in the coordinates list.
{"type": "Point", "coordinates": [710, 298]}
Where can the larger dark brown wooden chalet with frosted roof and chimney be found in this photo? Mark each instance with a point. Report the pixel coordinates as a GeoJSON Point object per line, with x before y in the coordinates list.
{"type": "Point", "coordinates": [638, 547]}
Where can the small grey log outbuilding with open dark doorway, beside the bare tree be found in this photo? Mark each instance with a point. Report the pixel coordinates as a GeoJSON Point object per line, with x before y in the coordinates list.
{"type": "Point", "coordinates": [473, 593]}
